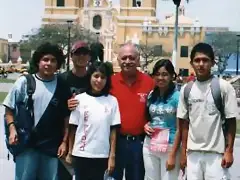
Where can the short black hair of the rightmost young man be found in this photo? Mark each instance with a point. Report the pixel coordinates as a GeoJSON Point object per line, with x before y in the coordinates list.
{"type": "Point", "coordinates": [203, 48]}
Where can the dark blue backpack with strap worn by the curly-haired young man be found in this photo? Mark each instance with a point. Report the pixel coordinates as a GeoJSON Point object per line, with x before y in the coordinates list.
{"type": "Point", "coordinates": [23, 120]}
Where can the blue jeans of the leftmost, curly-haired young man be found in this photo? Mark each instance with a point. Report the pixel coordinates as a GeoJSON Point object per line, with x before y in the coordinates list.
{"type": "Point", "coordinates": [33, 164]}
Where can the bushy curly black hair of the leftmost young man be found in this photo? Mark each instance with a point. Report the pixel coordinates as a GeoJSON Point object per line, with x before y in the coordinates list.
{"type": "Point", "coordinates": [44, 49]}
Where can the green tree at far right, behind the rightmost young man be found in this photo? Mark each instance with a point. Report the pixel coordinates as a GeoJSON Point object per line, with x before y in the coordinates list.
{"type": "Point", "coordinates": [224, 45]}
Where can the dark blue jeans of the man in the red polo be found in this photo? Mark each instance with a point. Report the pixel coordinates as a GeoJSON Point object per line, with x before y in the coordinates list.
{"type": "Point", "coordinates": [129, 157]}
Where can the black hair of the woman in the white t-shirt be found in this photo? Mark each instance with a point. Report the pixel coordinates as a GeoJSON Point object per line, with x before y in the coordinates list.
{"type": "Point", "coordinates": [104, 69]}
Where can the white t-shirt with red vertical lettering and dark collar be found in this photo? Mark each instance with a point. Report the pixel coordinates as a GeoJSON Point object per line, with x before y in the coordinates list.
{"type": "Point", "coordinates": [94, 117]}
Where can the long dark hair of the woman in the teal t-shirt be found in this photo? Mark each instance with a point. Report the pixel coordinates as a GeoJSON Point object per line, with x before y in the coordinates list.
{"type": "Point", "coordinates": [167, 64]}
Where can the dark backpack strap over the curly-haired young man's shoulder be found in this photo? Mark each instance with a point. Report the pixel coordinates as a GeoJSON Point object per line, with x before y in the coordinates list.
{"type": "Point", "coordinates": [31, 86]}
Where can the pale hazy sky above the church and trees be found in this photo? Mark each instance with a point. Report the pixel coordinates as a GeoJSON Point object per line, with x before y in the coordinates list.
{"type": "Point", "coordinates": [18, 17]}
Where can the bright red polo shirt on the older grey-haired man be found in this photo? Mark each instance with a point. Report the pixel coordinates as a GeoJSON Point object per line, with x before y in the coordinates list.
{"type": "Point", "coordinates": [132, 102]}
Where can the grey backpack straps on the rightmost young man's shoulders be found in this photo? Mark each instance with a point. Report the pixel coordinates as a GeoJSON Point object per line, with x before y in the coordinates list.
{"type": "Point", "coordinates": [217, 97]}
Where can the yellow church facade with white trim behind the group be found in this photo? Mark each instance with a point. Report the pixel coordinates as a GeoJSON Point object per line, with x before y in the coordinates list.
{"type": "Point", "coordinates": [131, 20]}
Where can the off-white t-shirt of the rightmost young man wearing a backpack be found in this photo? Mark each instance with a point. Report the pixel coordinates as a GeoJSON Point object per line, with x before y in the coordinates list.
{"type": "Point", "coordinates": [205, 126]}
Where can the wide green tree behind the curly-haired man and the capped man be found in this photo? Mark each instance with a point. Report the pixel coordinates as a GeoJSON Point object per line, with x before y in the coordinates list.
{"type": "Point", "coordinates": [56, 34]}
